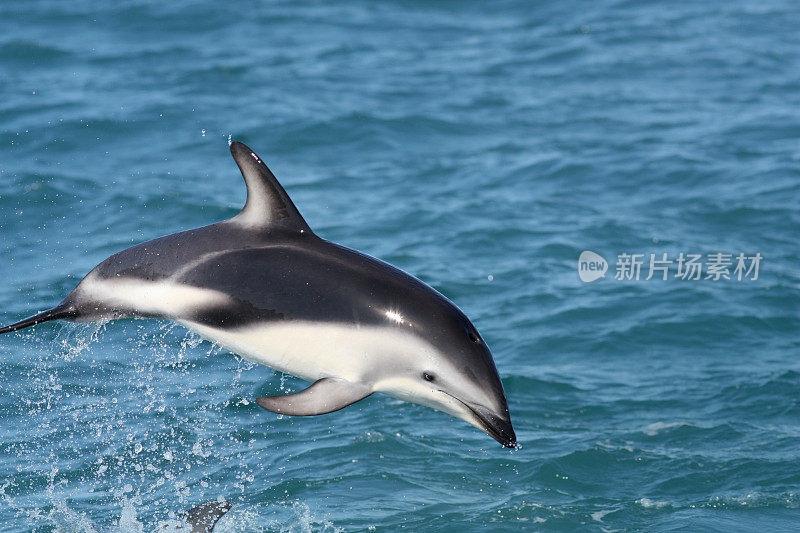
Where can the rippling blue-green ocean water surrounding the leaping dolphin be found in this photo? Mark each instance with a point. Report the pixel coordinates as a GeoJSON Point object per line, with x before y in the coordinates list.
{"type": "Point", "coordinates": [481, 147]}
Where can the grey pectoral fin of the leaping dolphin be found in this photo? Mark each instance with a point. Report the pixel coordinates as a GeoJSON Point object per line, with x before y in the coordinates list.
{"type": "Point", "coordinates": [323, 396]}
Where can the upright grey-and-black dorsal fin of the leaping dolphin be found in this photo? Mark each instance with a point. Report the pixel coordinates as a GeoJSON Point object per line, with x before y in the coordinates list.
{"type": "Point", "coordinates": [267, 204]}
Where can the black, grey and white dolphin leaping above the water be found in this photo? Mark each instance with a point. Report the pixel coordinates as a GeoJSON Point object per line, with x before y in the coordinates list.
{"type": "Point", "coordinates": [263, 285]}
